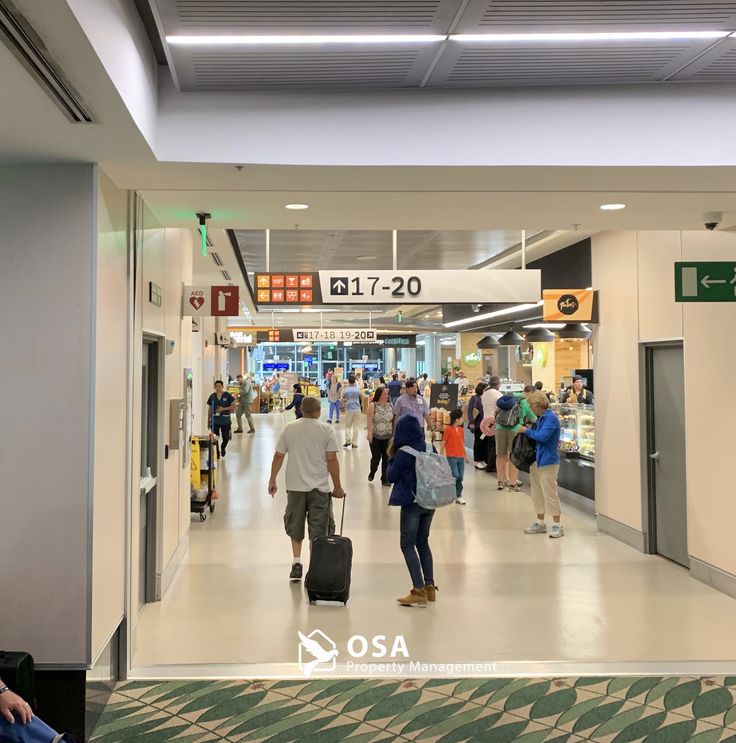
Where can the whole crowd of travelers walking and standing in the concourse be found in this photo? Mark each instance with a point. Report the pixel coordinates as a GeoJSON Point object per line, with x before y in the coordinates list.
{"type": "Point", "coordinates": [397, 420]}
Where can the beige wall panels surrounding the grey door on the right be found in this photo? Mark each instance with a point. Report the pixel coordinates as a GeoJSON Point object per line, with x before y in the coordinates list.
{"type": "Point", "coordinates": [635, 275]}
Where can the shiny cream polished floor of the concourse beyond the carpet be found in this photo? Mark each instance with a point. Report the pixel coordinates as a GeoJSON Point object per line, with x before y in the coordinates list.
{"type": "Point", "coordinates": [517, 603]}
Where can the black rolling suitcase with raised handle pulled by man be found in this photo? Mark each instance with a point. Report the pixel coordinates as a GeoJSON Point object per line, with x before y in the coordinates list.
{"type": "Point", "coordinates": [330, 564]}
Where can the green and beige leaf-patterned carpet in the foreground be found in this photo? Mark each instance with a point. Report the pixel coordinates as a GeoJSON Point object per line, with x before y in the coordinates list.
{"type": "Point", "coordinates": [528, 710]}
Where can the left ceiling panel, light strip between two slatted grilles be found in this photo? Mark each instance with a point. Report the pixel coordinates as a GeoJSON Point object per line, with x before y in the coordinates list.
{"type": "Point", "coordinates": [379, 61]}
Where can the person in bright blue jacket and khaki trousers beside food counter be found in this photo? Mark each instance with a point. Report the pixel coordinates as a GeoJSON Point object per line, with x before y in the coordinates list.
{"type": "Point", "coordinates": [543, 472]}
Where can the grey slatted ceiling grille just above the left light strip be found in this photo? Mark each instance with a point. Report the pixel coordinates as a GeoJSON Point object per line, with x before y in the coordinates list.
{"type": "Point", "coordinates": [253, 14]}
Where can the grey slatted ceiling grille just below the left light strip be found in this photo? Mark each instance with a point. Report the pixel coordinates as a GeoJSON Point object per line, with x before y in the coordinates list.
{"type": "Point", "coordinates": [295, 69]}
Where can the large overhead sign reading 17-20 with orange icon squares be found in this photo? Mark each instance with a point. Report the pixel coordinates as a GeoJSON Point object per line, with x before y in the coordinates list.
{"type": "Point", "coordinates": [398, 287]}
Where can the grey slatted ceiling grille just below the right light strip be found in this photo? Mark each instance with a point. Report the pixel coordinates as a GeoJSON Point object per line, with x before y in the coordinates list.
{"type": "Point", "coordinates": [559, 65]}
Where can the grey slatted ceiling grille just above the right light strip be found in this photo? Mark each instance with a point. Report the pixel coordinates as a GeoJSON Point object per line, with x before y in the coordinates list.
{"type": "Point", "coordinates": [664, 14]}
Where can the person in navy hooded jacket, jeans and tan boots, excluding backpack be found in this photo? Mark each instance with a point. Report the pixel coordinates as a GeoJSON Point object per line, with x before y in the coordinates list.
{"type": "Point", "coordinates": [415, 520]}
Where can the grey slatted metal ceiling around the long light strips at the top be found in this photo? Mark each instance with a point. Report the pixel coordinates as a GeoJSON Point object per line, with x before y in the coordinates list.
{"type": "Point", "coordinates": [452, 64]}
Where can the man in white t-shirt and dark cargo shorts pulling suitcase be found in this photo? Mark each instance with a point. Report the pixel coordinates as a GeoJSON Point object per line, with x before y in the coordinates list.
{"type": "Point", "coordinates": [312, 460]}
